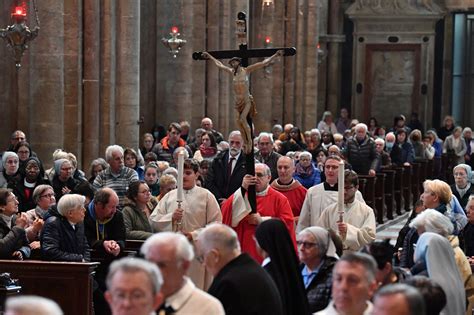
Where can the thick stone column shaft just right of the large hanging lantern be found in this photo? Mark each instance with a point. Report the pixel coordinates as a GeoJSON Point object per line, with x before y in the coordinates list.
{"type": "Point", "coordinates": [45, 98]}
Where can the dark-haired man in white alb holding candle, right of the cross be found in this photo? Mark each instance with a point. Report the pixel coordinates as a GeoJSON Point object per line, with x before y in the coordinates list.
{"type": "Point", "coordinates": [356, 223]}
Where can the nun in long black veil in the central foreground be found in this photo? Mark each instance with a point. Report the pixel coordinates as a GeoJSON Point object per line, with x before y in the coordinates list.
{"type": "Point", "coordinates": [274, 244]}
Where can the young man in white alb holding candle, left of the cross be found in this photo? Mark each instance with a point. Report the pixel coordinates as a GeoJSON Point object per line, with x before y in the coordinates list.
{"type": "Point", "coordinates": [198, 208]}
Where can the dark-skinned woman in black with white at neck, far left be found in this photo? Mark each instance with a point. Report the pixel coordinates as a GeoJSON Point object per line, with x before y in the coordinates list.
{"type": "Point", "coordinates": [23, 187]}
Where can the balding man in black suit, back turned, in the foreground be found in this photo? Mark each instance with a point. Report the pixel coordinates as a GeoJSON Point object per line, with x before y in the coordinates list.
{"type": "Point", "coordinates": [242, 286]}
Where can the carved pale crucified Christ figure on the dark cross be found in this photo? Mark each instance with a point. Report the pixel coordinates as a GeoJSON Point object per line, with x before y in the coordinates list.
{"type": "Point", "coordinates": [244, 103]}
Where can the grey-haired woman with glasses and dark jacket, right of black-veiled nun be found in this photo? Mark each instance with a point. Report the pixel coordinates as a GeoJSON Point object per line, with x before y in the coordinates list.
{"type": "Point", "coordinates": [317, 252]}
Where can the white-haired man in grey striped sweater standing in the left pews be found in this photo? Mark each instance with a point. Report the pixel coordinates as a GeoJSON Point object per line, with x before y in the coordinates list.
{"type": "Point", "coordinates": [117, 176]}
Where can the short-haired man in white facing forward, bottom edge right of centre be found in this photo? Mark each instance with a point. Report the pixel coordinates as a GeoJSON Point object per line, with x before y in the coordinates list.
{"type": "Point", "coordinates": [353, 284]}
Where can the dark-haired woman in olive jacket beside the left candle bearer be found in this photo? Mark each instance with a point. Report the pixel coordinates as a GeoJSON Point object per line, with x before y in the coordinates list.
{"type": "Point", "coordinates": [136, 212]}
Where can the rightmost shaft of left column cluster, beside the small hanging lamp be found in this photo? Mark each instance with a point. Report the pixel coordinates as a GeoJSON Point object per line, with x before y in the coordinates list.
{"type": "Point", "coordinates": [127, 91]}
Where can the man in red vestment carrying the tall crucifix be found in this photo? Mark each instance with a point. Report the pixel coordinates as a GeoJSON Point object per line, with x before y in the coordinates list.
{"type": "Point", "coordinates": [270, 204]}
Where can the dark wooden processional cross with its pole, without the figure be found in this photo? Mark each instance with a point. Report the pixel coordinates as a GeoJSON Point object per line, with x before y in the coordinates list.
{"type": "Point", "coordinates": [244, 53]}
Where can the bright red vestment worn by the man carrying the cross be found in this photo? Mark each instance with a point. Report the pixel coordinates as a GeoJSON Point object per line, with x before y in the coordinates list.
{"type": "Point", "coordinates": [273, 205]}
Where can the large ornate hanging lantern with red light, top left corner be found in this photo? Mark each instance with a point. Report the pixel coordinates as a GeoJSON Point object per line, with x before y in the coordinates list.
{"type": "Point", "coordinates": [19, 34]}
